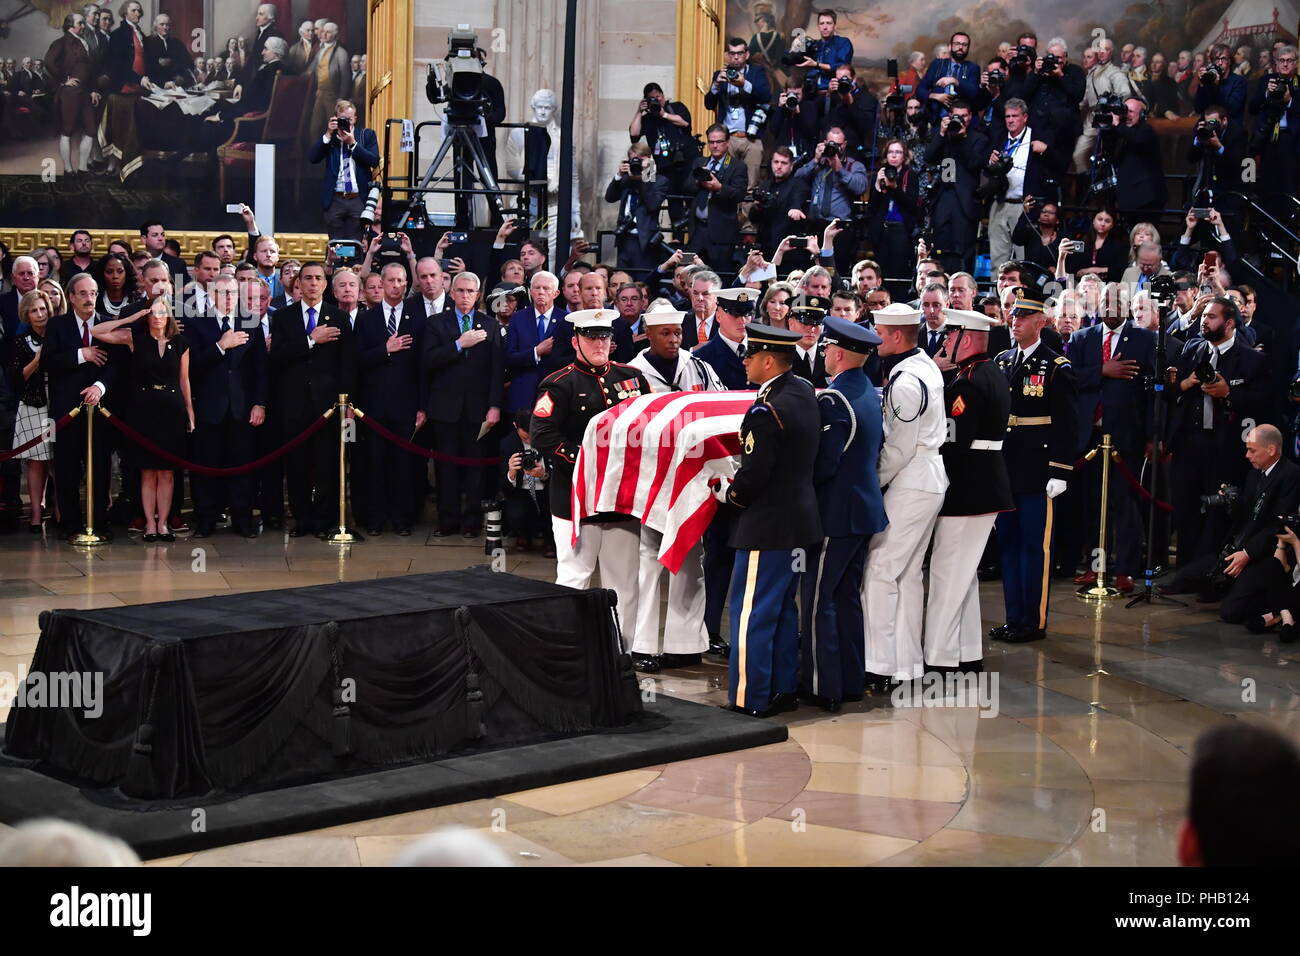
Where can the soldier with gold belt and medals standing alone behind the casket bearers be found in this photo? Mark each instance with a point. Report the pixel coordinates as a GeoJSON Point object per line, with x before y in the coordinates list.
{"type": "Point", "coordinates": [1039, 448]}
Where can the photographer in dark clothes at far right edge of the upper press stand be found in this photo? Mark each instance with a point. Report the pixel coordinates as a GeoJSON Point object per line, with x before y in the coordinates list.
{"type": "Point", "coordinates": [1276, 107]}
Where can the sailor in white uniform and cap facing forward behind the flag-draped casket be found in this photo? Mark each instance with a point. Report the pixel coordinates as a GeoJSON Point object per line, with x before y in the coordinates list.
{"type": "Point", "coordinates": [670, 369]}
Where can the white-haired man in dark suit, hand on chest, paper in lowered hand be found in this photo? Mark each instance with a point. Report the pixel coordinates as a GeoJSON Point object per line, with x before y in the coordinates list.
{"type": "Point", "coordinates": [462, 365]}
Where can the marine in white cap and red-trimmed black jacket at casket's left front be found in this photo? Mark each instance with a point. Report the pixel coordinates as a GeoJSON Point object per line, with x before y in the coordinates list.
{"type": "Point", "coordinates": [567, 400]}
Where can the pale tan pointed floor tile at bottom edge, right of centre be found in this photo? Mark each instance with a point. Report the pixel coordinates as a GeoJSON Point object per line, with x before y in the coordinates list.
{"type": "Point", "coordinates": [788, 843]}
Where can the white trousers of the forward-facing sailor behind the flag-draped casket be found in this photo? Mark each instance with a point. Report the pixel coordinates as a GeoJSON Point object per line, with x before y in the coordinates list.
{"type": "Point", "coordinates": [684, 629]}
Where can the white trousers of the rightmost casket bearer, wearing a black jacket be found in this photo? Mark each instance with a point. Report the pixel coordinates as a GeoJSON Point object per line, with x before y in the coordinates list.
{"type": "Point", "coordinates": [954, 629]}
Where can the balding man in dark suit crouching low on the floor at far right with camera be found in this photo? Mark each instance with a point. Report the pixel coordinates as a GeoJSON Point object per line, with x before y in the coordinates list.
{"type": "Point", "coordinates": [1241, 572]}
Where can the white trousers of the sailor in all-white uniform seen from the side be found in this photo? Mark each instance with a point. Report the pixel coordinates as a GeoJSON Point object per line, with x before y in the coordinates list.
{"type": "Point", "coordinates": [894, 590]}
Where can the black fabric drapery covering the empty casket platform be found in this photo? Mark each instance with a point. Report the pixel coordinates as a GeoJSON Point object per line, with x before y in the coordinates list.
{"type": "Point", "coordinates": [257, 691]}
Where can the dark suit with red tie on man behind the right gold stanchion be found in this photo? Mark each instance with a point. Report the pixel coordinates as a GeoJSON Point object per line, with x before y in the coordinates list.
{"type": "Point", "coordinates": [1112, 364]}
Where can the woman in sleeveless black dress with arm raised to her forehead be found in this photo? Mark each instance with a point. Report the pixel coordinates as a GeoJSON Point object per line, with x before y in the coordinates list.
{"type": "Point", "coordinates": [161, 406]}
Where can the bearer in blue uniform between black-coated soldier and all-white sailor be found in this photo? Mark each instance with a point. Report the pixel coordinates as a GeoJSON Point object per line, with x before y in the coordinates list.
{"type": "Point", "coordinates": [852, 511]}
